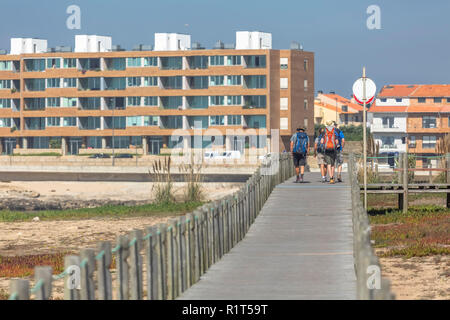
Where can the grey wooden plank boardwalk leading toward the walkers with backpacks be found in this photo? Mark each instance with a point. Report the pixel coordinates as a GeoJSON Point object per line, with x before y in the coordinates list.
{"type": "Point", "coordinates": [299, 247]}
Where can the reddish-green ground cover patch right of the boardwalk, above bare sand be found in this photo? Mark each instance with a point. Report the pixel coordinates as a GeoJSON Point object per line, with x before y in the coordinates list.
{"type": "Point", "coordinates": [421, 232]}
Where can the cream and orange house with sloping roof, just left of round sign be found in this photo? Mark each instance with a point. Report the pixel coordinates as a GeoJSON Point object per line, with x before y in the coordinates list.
{"type": "Point", "coordinates": [336, 108]}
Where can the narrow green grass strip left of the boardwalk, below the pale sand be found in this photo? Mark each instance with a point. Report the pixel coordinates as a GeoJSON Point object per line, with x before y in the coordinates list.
{"type": "Point", "coordinates": [110, 211]}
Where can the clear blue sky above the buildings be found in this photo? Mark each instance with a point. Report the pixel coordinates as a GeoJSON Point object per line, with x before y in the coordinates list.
{"type": "Point", "coordinates": [412, 46]}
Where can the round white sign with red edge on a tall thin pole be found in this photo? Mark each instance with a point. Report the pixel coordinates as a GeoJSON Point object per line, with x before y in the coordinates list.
{"type": "Point", "coordinates": [364, 90]}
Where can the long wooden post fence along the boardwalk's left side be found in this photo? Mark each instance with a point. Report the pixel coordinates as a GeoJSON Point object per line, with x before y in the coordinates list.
{"type": "Point", "coordinates": [175, 254]}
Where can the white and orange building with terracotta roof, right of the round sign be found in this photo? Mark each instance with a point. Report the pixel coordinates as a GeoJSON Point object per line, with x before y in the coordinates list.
{"type": "Point", "coordinates": [412, 118]}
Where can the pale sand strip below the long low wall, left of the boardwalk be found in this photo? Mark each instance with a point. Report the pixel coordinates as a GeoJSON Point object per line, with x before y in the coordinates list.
{"type": "Point", "coordinates": [124, 191]}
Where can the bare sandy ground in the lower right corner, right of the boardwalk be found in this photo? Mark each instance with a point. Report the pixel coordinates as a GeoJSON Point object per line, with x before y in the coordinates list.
{"type": "Point", "coordinates": [418, 278]}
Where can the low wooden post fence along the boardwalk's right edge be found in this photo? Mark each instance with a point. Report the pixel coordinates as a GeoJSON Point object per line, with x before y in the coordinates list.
{"type": "Point", "coordinates": [370, 284]}
